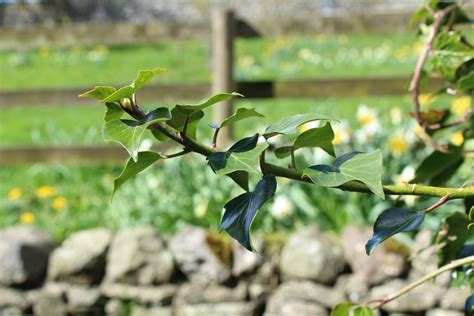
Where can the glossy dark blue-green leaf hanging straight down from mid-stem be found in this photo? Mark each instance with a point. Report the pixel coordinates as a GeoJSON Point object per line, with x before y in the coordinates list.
{"type": "Point", "coordinates": [239, 213]}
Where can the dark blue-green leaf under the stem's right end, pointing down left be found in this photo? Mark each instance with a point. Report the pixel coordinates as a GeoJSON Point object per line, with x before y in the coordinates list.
{"type": "Point", "coordinates": [393, 221]}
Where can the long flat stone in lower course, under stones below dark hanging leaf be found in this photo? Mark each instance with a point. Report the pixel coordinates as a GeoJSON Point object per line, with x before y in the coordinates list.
{"type": "Point", "coordinates": [192, 293]}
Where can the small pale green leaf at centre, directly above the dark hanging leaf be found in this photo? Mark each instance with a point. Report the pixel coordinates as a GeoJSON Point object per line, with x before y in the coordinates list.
{"type": "Point", "coordinates": [248, 161]}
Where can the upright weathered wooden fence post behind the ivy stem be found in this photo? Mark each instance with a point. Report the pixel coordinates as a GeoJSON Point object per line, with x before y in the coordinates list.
{"type": "Point", "coordinates": [223, 65]}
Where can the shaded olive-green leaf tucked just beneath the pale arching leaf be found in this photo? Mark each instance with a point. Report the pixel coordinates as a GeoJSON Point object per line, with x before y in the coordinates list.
{"type": "Point", "coordinates": [316, 137]}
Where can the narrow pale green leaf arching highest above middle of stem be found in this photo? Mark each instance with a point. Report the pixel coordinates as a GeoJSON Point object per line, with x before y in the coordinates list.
{"type": "Point", "coordinates": [289, 125]}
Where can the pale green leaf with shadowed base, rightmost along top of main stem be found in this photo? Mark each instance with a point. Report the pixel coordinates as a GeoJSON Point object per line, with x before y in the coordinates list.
{"type": "Point", "coordinates": [354, 166]}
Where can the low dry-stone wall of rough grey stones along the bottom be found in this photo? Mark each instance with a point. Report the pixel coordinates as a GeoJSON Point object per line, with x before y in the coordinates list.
{"type": "Point", "coordinates": [139, 272]}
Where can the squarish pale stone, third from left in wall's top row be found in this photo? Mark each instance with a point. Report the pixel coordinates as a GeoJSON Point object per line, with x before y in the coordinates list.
{"type": "Point", "coordinates": [139, 256]}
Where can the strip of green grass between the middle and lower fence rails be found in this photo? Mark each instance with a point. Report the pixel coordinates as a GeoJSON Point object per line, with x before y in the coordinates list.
{"type": "Point", "coordinates": [82, 125]}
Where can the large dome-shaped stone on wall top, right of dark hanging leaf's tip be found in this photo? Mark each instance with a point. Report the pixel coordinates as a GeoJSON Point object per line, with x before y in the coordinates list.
{"type": "Point", "coordinates": [312, 254]}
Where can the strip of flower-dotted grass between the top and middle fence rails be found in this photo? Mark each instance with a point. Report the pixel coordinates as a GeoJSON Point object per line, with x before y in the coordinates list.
{"type": "Point", "coordinates": [188, 61]}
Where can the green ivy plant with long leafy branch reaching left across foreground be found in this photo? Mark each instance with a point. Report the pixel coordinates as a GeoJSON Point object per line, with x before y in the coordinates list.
{"type": "Point", "coordinates": [248, 161]}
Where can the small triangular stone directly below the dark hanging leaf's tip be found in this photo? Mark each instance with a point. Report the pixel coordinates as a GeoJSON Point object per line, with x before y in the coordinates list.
{"type": "Point", "coordinates": [244, 261]}
